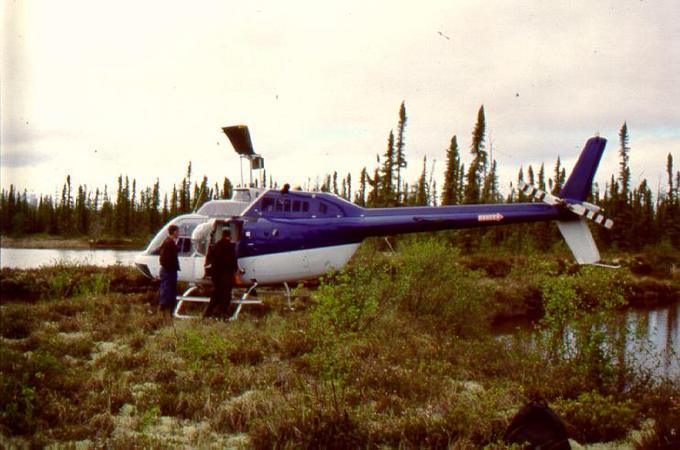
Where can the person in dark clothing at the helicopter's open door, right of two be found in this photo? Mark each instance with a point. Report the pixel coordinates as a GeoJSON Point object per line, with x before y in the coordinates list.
{"type": "Point", "coordinates": [222, 260]}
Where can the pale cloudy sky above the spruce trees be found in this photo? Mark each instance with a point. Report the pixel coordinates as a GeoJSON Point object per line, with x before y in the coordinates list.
{"type": "Point", "coordinates": [97, 89]}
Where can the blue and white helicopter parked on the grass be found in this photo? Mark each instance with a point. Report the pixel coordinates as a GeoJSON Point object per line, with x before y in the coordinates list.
{"type": "Point", "coordinates": [285, 236]}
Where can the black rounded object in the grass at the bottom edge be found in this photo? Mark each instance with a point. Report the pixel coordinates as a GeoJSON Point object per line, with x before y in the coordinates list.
{"type": "Point", "coordinates": [539, 426]}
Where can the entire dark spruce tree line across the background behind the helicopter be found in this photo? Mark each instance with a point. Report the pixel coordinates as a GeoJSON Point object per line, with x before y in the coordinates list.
{"type": "Point", "coordinates": [641, 218]}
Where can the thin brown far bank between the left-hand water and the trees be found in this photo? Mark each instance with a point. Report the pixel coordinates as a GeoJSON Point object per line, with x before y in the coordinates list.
{"type": "Point", "coordinates": [62, 243]}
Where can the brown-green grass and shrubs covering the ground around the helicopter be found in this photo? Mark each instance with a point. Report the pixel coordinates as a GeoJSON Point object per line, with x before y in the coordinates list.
{"type": "Point", "coordinates": [398, 351]}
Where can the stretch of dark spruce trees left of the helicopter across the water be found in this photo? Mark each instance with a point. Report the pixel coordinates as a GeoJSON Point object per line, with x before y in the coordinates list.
{"type": "Point", "coordinates": [129, 212]}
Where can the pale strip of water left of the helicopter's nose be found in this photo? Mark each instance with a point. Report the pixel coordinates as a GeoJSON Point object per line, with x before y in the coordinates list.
{"type": "Point", "coordinates": [30, 258]}
